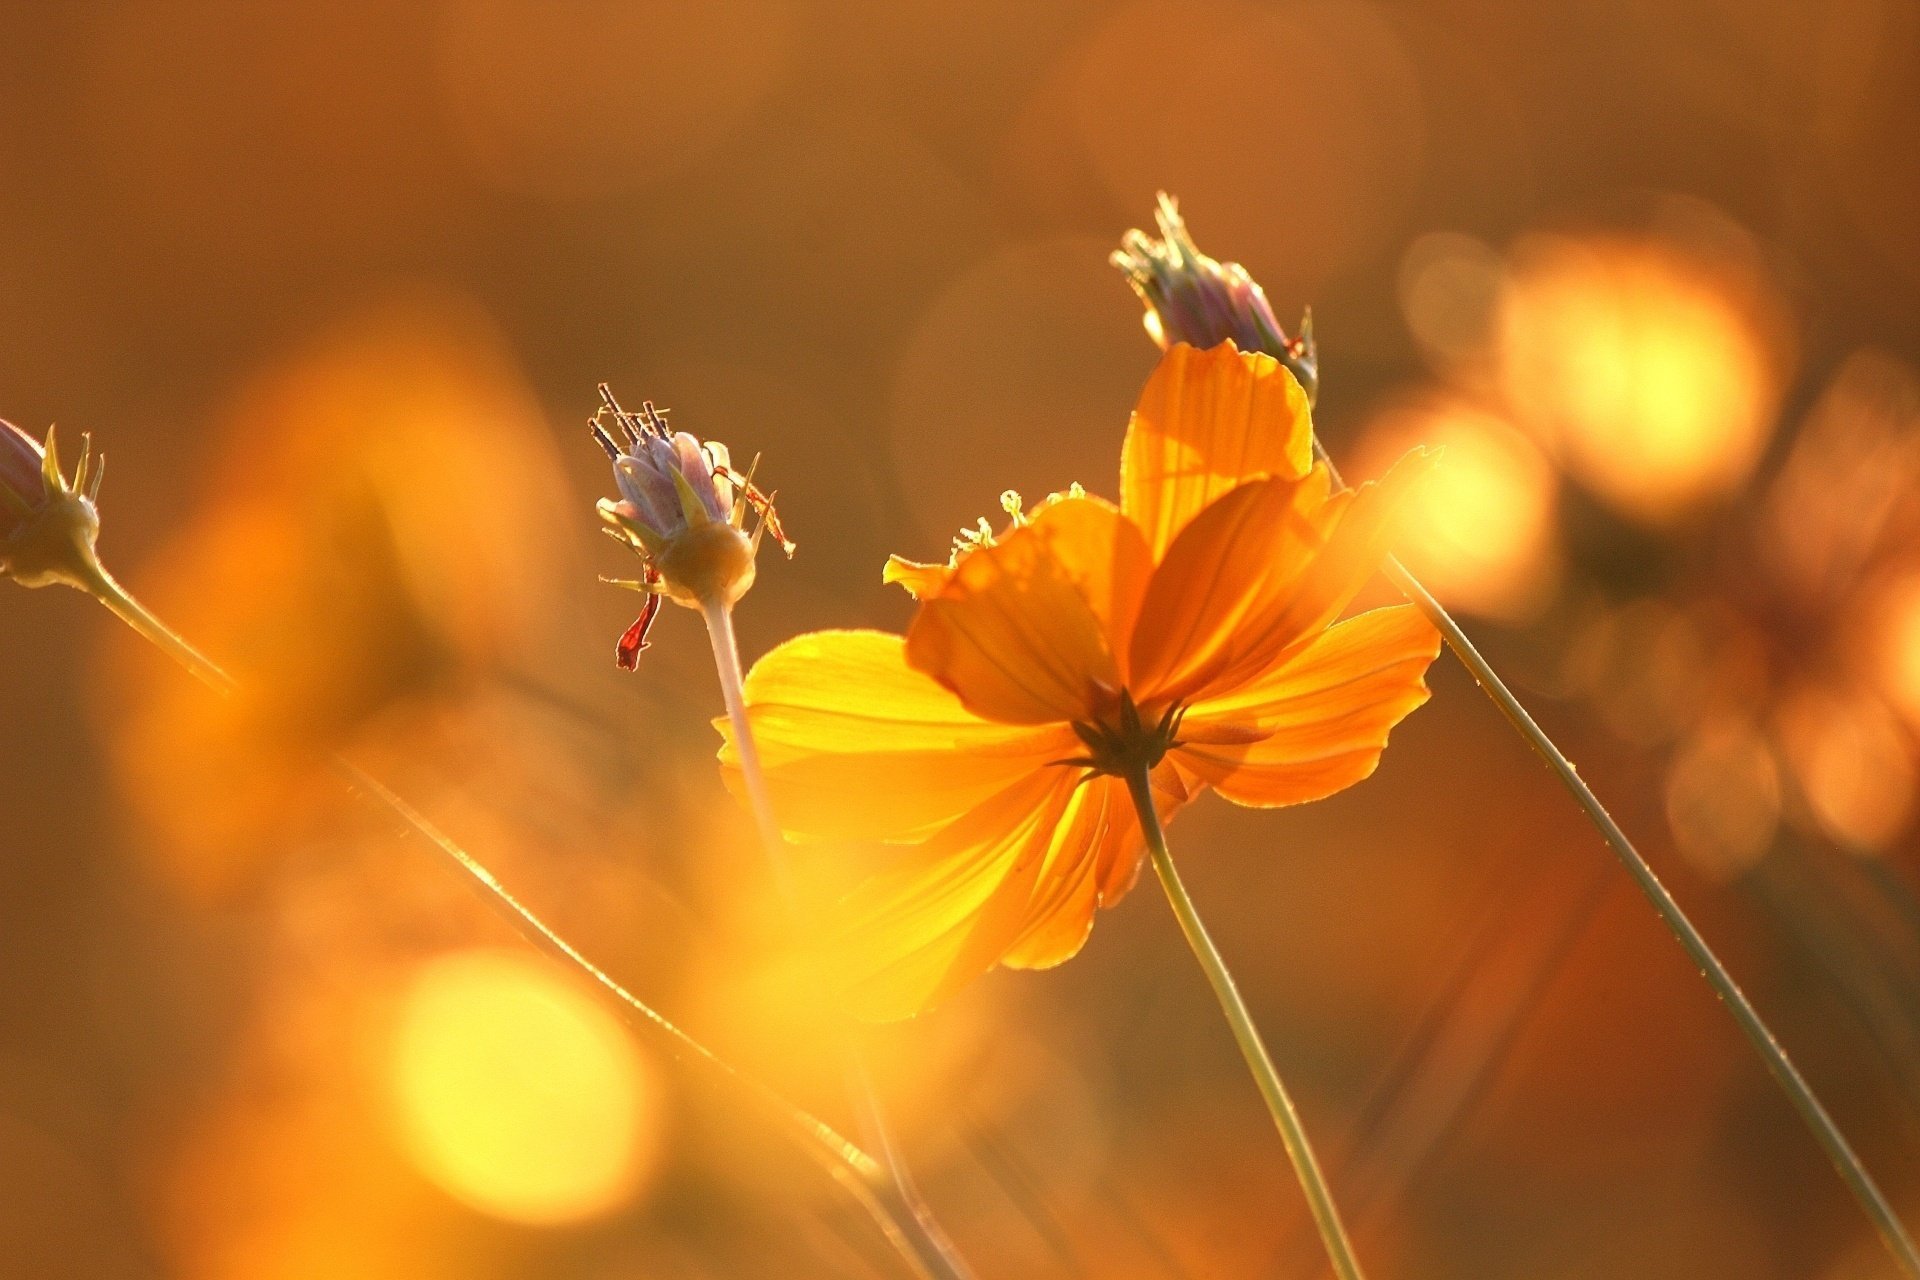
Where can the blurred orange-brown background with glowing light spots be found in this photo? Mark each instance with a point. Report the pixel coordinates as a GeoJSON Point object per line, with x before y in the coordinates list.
{"type": "Point", "coordinates": [335, 287]}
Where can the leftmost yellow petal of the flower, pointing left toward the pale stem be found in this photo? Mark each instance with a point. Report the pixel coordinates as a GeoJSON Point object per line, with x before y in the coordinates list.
{"type": "Point", "coordinates": [859, 746]}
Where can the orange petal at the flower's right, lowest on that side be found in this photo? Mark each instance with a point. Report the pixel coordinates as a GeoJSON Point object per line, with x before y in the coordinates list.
{"type": "Point", "coordinates": [1318, 723]}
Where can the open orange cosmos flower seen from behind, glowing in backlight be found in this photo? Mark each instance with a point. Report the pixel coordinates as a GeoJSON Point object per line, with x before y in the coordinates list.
{"type": "Point", "coordinates": [1189, 632]}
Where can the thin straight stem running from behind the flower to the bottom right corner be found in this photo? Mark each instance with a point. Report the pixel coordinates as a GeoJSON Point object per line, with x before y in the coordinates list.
{"type": "Point", "coordinates": [1836, 1147]}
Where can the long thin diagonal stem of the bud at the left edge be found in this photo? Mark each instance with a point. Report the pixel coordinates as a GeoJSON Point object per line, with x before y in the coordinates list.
{"type": "Point", "coordinates": [852, 1168]}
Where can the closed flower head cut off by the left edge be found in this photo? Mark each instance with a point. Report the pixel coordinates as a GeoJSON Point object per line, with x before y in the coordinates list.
{"type": "Point", "coordinates": [49, 525]}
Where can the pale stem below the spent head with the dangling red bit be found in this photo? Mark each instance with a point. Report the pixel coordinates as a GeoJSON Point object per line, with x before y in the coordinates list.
{"type": "Point", "coordinates": [938, 1250]}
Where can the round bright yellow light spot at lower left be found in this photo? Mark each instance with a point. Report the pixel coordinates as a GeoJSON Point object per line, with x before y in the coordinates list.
{"type": "Point", "coordinates": [517, 1095]}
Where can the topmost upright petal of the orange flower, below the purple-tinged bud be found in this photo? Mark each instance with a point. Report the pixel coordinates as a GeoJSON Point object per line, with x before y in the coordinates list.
{"type": "Point", "coordinates": [1205, 423]}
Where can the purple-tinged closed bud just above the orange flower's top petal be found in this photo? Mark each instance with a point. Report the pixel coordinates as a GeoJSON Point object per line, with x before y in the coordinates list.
{"type": "Point", "coordinates": [1203, 302]}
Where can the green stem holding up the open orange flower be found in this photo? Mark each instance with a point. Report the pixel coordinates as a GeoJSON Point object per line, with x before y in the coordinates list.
{"type": "Point", "coordinates": [1272, 1091]}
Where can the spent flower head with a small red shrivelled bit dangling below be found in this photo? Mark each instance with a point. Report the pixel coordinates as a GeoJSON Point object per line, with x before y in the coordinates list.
{"type": "Point", "coordinates": [683, 511]}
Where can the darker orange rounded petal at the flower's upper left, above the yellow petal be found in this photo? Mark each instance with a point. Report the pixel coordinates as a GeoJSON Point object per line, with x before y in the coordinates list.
{"type": "Point", "coordinates": [1024, 628]}
